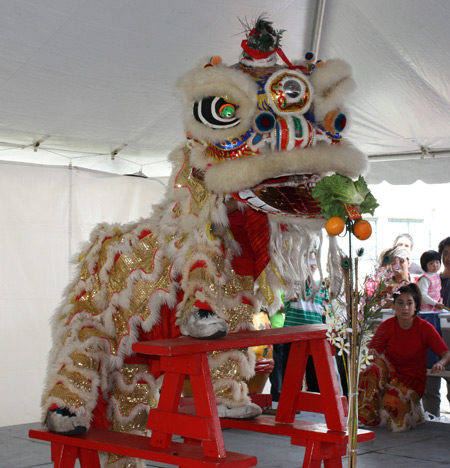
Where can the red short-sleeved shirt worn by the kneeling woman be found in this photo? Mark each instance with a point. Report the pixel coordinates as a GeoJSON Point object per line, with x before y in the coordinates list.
{"type": "Point", "coordinates": [407, 349]}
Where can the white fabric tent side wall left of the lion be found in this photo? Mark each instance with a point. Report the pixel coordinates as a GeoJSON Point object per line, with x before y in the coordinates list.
{"type": "Point", "coordinates": [45, 213]}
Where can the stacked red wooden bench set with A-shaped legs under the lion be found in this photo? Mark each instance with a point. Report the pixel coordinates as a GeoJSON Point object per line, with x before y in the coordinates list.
{"type": "Point", "coordinates": [200, 425]}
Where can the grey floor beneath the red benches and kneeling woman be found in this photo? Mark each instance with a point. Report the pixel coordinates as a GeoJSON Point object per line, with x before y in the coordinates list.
{"type": "Point", "coordinates": [427, 446]}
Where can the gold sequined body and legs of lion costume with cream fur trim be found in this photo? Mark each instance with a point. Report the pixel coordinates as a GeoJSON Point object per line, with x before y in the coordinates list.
{"type": "Point", "coordinates": [126, 276]}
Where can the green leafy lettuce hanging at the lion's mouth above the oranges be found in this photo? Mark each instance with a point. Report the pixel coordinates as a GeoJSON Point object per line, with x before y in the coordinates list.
{"type": "Point", "coordinates": [335, 190]}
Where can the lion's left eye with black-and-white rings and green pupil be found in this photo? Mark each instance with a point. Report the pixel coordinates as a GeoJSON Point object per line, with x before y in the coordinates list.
{"type": "Point", "coordinates": [216, 112]}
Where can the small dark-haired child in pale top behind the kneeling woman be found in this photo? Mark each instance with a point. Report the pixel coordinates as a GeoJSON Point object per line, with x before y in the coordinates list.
{"type": "Point", "coordinates": [430, 282]}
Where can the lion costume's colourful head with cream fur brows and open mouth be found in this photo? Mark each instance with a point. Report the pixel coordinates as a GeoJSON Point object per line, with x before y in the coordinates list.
{"type": "Point", "coordinates": [266, 133]}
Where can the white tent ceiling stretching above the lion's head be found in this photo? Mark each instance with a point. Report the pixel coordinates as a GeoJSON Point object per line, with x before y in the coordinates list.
{"type": "Point", "coordinates": [80, 79]}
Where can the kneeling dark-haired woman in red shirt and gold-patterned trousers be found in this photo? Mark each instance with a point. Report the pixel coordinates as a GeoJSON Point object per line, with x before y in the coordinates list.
{"type": "Point", "coordinates": [391, 388]}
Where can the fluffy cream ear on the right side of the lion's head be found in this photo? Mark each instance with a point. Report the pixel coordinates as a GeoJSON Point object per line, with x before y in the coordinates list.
{"type": "Point", "coordinates": [332, 82]}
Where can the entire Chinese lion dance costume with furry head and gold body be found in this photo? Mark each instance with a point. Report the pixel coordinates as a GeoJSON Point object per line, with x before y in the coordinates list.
{"type": "Point", "coordinates": [235, 227]}
